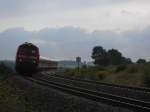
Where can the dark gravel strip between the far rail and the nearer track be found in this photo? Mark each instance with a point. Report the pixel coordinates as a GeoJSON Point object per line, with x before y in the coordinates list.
{"type": "Point", "coordinates": [145, 96]}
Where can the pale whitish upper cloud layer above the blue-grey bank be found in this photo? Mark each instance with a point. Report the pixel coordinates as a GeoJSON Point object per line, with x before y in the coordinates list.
{"type": "Point", "coordinates": [115, 15]}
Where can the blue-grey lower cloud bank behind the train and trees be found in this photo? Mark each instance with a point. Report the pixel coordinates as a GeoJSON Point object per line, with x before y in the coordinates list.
{"type": "Point", "coordinates": [69, 42]}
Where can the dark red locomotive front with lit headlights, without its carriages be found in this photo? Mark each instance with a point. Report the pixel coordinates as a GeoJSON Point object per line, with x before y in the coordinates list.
{"type": "Point", "coordinates": [27, 58]}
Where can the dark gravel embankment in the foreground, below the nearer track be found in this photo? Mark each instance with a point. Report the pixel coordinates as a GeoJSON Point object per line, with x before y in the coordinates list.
{"type": "Point", "coordinates": [44, 99]}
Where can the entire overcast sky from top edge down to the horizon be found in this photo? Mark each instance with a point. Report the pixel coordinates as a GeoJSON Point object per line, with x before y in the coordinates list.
{"type": "Point", "coordinates": [124, 25]}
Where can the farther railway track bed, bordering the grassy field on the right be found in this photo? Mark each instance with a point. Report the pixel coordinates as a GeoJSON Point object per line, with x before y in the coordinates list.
{"type": "Point", "coordinates": [125, 91]}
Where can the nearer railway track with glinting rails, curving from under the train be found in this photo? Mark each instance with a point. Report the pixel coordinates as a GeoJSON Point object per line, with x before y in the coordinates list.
{"type": "Point", "coordinates": [95, 95]}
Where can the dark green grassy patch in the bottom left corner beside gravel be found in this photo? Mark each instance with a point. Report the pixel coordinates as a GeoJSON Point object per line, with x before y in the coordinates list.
{"type": "Point", "coordinates": [11, 99]}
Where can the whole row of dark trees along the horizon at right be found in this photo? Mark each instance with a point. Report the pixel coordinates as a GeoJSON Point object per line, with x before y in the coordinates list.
{"type": "Point", "coordinates": [110, 57]}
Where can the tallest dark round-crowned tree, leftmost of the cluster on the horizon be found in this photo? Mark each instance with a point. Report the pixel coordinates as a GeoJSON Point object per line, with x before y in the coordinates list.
{"type": "Point", "coordinates": [100, 56]}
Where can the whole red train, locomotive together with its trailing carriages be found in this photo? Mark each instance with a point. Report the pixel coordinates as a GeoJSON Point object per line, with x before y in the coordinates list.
{"type": "Point", "coordinates": [29, 61]}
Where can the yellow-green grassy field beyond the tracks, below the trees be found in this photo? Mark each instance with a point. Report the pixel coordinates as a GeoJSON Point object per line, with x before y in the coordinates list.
{"type": "Point", "coordinates": [131, 75]}
